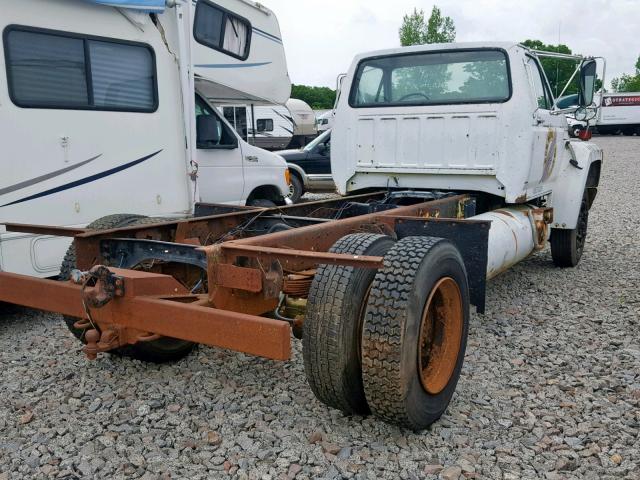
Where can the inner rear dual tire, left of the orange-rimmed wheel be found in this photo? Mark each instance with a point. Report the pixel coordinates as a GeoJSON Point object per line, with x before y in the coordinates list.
{"type": "Point", "coordinates": [333, 325]}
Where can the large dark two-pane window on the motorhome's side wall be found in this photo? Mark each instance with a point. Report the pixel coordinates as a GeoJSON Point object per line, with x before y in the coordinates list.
{"type": "Point", "coordinates": [49, 69]}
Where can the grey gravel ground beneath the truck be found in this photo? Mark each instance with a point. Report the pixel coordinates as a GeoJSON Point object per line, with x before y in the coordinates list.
{"type": "Point", "coordinates": [550, 388]}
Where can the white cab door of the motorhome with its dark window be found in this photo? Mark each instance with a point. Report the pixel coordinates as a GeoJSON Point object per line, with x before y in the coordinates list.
{"type": "Point", "coordinates": [219, 156]}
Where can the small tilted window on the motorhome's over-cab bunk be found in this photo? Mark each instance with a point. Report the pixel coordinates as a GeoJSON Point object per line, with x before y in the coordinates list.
{"type": "Point", "coordinates": [219, 29]}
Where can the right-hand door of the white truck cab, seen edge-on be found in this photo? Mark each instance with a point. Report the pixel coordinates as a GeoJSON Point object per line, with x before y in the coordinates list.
{"type": "Point", "coordinates": [549, 132]}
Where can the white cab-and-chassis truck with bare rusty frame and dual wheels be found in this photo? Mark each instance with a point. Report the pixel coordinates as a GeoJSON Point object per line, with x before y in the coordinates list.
{"type": "Point", "coordinates": [454, 164]}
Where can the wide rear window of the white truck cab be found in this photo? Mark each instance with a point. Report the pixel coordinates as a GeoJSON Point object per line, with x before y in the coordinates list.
{"type": "Point", "coordinates": [432, 78]}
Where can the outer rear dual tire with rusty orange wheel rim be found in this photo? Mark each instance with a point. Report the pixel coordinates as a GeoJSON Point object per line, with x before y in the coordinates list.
{"type": "Point", "coordinates": [410, 284]}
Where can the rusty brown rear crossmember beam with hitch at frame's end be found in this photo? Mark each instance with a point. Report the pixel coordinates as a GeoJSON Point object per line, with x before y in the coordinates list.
{"type": "Point", "coordinates": [146, 308]}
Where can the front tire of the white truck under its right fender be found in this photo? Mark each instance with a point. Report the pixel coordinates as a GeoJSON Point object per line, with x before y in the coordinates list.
{"type": "Point", "coordinates": [567, 245]}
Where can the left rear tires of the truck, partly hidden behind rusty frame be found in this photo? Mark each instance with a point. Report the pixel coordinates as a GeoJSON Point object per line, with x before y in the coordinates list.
{"type": "Point", "coordinates": [158, 351]}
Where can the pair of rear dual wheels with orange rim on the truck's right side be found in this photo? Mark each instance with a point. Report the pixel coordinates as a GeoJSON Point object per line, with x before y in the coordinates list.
{"type": "Point", "coordinates": [407, 335]}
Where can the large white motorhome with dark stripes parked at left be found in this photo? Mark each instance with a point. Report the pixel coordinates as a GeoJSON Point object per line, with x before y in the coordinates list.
{"type": "Point", "coordinates": [97, 113]}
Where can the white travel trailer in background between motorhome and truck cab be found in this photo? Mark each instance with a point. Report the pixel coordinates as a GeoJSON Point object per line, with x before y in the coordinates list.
{"type": "Point", "coordinates": [273, 127]}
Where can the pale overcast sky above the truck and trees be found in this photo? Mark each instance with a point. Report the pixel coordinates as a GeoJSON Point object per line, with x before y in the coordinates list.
{"type": "Point", "coordinates": [322, 36]}
